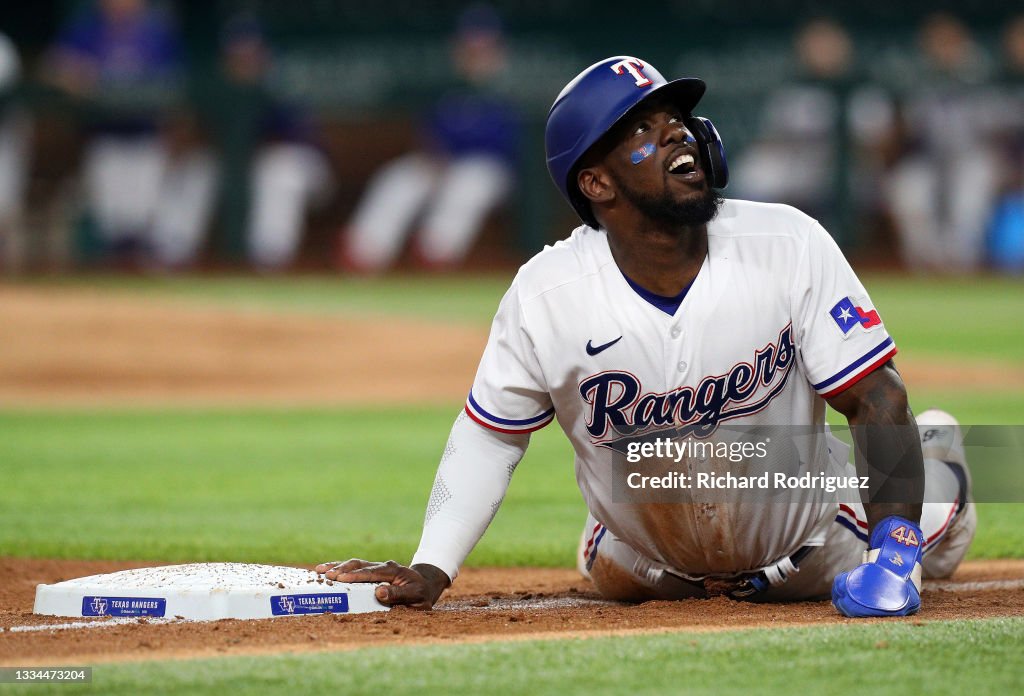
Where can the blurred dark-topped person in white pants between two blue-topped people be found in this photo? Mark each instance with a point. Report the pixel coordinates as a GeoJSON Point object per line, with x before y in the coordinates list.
{"type": "Point", "coordinates": [273, 169]}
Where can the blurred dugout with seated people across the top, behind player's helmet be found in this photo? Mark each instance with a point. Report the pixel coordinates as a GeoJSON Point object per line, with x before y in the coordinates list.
{"type": "Point", "coordinates": [228, 135]}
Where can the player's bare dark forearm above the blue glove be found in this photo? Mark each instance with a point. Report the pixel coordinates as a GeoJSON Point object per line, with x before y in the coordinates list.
{"type": "Point", "coordinates": [887, 445]}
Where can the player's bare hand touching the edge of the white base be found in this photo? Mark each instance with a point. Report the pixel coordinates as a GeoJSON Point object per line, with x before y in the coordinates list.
{"type": "Point", "coordinates": [418, 587]}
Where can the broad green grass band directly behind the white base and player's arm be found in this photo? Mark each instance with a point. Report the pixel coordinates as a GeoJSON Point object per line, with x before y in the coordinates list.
{"type": "Point", "coordinates": [298, 487]}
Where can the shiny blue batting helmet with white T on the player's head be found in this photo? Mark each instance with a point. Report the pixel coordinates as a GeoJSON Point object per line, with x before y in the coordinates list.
{"type": "Point", "coordinates": [596, 100]}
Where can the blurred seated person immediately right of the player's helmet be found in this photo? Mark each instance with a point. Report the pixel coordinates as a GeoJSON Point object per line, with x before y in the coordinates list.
{"type": "Point", "coordinates": [813, 132]}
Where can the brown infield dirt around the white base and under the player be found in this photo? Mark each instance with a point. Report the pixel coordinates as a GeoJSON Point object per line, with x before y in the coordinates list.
{"type": "Point", "coordinates": [485, 604]}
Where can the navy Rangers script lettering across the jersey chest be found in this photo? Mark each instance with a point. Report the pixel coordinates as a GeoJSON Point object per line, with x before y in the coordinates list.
{"type": "Point", "coordinates": [616, 400]}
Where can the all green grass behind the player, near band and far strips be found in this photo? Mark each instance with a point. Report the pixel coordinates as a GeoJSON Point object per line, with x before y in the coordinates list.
{"type": "Point", "coordinates": [300, 487]}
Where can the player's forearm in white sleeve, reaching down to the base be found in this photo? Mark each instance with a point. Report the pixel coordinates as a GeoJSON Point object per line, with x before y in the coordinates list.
{"type": "Point", "coordinates": [472, 482]}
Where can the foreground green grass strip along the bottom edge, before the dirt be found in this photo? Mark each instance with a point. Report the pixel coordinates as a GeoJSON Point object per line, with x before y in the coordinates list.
{"type": "Point", "coordinates": [898, 658]}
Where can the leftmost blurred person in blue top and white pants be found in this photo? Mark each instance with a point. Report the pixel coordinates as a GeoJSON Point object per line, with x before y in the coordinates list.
{"type": "Point", "coordinates": [147, 183]}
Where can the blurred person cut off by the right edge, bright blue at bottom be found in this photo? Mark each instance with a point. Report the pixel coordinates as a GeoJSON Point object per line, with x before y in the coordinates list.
{"type": "Point", "coordinates": [1006, 235]}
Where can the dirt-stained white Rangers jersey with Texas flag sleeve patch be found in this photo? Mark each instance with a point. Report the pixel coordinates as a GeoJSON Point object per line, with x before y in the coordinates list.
{"type": "Point", "coordinates": [775, 321]}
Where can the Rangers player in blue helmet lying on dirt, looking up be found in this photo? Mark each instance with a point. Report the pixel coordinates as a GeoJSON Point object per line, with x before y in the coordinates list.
{"type": "Point", "coordinates": [673, 318]}
